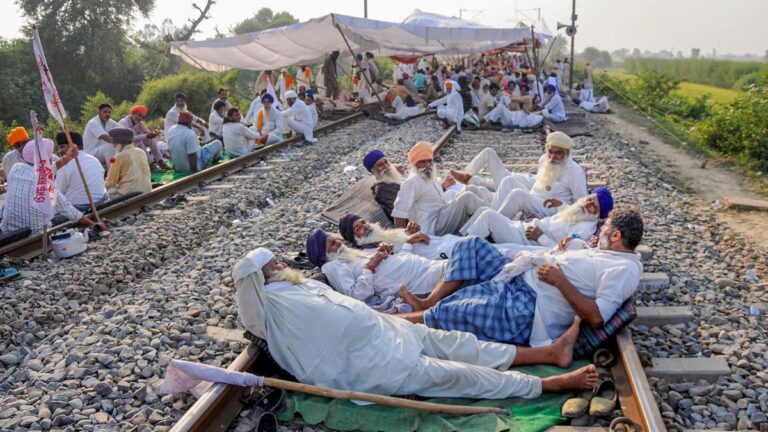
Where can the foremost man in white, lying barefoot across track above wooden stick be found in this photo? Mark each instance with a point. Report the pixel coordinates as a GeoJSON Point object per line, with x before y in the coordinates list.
{"type": "Point", "coordinates": [327, 339]}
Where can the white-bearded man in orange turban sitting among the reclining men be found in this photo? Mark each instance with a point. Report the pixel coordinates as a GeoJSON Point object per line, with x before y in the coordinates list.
{"type": "Point", "coordinates": [421, 197]}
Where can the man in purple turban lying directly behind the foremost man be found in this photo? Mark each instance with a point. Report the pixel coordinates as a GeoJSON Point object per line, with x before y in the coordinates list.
{"type": "Point", "coordinates": [372, 277]}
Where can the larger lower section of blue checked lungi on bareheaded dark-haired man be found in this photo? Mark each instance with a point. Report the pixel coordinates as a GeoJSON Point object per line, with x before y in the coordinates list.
{"type": "Point", "coordinates": [493, 311]}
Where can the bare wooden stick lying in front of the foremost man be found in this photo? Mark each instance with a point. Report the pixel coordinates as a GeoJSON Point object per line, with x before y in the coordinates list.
{"type": "Point", "coordinates": [383, 400]}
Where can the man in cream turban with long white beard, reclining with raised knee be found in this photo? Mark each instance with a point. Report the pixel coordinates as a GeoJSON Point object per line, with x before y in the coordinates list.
{"type": "Point", "coordinates": [559, 180]}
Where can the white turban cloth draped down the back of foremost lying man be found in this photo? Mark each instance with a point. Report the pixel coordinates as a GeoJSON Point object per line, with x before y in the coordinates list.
{"type": "Point", "coordinates": [249, 282]}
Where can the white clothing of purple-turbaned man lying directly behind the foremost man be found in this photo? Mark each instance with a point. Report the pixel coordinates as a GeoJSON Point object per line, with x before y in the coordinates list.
{"type": "Point", "coordinates": [419, 275]}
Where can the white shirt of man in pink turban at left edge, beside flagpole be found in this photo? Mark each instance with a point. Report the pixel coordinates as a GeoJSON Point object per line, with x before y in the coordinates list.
{"type": "Point", "coordinates": [18, 212]}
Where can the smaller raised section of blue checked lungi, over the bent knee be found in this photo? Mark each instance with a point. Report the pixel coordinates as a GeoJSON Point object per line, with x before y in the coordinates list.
{"type": "Point", "coordinates": [474, 260]}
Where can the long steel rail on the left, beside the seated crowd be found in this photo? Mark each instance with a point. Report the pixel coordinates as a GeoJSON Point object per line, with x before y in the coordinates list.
{"type": "Point", "coordinates": [31, 247]}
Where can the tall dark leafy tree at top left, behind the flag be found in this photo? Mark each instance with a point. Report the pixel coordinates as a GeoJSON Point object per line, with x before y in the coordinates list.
{"type": "Point", "coordinates": [86, 45]}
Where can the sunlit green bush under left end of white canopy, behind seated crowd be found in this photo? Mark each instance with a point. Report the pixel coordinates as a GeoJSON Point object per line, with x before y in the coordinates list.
{"type": "Point", "coordinates": [200, 88]}
